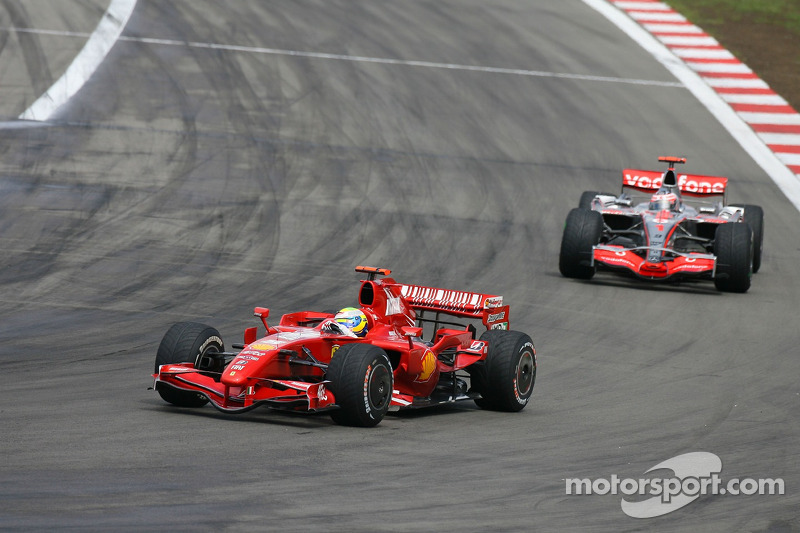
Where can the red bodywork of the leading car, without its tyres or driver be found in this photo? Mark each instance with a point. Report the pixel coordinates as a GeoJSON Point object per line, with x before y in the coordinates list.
{"type": "Point", "coordinates": [286, 367]}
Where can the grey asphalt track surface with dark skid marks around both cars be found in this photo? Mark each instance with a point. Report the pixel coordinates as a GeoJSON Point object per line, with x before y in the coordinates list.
{"type": "Point", "coordinates": [187, 182]}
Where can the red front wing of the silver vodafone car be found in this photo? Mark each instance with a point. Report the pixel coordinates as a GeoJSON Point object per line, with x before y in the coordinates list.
{"type": "Point", "coordinates": [689, 264]}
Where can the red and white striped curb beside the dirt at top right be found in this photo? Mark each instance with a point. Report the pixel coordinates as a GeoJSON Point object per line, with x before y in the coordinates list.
{"type": "Point", "coordinates": [775, 122]}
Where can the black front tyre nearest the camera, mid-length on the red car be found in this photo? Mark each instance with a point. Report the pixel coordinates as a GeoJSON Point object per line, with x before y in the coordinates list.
{"type": "Point", "coordinates": [361, 381]}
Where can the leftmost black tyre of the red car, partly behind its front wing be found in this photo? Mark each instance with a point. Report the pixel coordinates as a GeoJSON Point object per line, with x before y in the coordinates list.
{"type": "Point", "coordinates": [186, 342]}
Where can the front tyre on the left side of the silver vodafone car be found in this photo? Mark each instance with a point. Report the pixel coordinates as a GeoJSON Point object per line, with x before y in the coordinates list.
{"type": "Point", "coordinates": [582, 230]}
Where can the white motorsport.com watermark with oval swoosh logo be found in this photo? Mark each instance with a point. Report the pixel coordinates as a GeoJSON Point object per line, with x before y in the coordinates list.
{"type": "Point", "coordinates": [696, 474]}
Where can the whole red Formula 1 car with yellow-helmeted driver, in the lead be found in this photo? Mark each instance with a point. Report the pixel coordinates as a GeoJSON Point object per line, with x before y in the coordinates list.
{"type": "Point", "coordinates": [358, 363]}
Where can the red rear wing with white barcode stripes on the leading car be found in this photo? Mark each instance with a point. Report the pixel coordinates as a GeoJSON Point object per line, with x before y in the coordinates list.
{"type": "Point", "coordinates": [487, 307]}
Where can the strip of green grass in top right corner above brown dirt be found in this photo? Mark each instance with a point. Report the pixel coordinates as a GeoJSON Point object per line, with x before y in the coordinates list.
{"type": "Point", "coordinates": [784, 13]}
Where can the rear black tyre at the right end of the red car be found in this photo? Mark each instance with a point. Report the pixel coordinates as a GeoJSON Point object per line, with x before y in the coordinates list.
{"type": "Point", "coordinates": [506, 379]}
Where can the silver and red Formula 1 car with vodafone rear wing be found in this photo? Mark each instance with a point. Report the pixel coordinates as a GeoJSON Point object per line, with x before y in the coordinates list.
{"type": "Point", "coordinates": [665, 237]}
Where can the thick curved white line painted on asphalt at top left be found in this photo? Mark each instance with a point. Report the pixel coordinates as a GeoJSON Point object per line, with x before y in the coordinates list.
{"type": "Point", "coordinates": [85, 63]}
